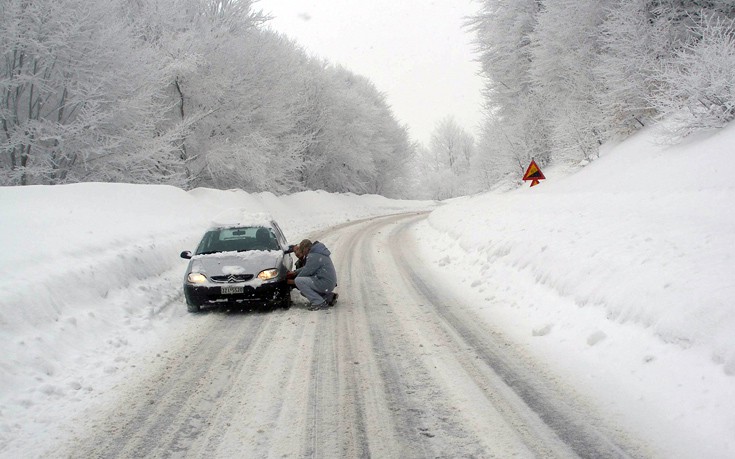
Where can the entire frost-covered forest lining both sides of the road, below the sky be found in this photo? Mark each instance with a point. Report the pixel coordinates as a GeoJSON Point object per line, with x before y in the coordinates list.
{"type": "Point", "coordinates": [201, 93]}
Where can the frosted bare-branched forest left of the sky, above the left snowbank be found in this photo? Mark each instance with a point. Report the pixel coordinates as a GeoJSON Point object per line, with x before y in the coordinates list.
{"type": "Point", "coordinates": [189, 93]}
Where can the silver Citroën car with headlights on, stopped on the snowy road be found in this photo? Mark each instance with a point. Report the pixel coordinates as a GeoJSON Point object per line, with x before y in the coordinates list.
{"type": "Point", "coordinates": [239, 264]}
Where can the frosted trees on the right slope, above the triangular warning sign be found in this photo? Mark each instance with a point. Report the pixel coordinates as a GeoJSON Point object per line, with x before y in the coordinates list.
{"type": "Point", "coordinates": [563, 77]}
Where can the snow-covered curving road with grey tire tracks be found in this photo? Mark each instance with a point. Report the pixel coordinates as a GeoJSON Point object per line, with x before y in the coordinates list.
{"type": "Point", "coordinates": [397, 369]}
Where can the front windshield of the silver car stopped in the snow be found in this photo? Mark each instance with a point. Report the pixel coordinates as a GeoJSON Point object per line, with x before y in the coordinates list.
{"type": "Point", "coordinates": [237, 240]}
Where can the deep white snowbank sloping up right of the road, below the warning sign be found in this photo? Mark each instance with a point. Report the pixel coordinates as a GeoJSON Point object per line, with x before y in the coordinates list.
{"type": "Point", "coordinates": [621, 275]}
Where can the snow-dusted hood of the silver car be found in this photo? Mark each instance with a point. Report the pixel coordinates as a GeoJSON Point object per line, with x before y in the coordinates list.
{"type": "Point", "coordinates": [224, 263]}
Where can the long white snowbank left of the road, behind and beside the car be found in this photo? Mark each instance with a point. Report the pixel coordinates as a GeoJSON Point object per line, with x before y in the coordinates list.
{"type": "Point", "coordinates": [90, 274]}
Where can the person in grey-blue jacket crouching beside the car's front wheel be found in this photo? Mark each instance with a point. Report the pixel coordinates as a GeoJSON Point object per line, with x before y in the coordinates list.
{"type": "Point", "coordinates": [317, 278]}
